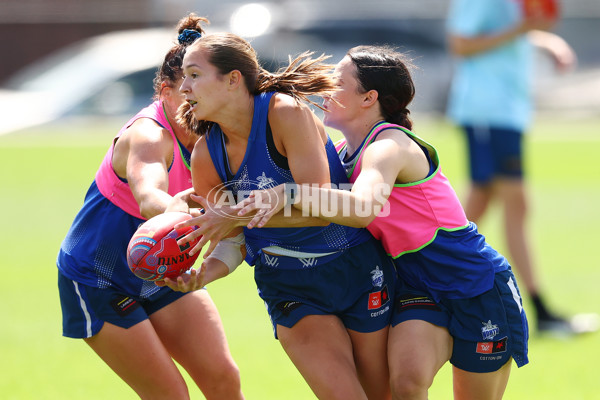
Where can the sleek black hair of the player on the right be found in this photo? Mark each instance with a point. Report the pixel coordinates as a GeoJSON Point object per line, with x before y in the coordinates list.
{"type": "Point", "coordinates": [385, 70]}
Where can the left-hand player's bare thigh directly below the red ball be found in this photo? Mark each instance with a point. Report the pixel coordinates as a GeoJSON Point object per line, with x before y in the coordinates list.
{"type": "Point", "coordinates": [192, 330]}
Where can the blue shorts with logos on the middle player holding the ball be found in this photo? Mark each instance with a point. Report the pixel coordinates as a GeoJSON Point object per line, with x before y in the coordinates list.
{"type": "Point", "coordinates": [356, 286]}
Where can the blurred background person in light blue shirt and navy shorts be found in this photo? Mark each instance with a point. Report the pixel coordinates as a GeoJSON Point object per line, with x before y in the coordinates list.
{"type": "Point", "coordinates": [491, 100]}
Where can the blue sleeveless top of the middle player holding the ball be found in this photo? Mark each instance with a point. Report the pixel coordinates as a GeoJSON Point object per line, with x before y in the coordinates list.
{"type": "Point", "coordinates": [259, 170]}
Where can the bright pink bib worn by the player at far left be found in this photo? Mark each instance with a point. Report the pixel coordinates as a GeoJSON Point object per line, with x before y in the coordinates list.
{"type": "Point", "coordinates": [117, 191]}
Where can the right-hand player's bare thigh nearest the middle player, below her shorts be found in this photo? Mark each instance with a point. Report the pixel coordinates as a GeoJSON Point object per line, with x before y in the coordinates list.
{"type": "Point", "coordinates": [417, 350]}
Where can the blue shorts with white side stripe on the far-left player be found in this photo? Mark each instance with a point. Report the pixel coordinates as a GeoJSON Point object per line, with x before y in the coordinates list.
{"type": "Point", "coordinates": [86, 308]}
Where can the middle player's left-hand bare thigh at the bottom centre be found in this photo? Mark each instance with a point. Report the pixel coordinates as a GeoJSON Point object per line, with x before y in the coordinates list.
{"type": "Point", "coordinates": [321, 349]}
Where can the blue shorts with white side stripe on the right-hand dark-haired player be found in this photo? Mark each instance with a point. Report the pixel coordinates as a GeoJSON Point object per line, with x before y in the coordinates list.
{"type": "Point", "coordinates": [487, 329]}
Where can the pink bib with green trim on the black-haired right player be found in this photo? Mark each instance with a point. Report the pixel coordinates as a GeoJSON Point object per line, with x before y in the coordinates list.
{"type": "Point", "coordinates": [416, 211]}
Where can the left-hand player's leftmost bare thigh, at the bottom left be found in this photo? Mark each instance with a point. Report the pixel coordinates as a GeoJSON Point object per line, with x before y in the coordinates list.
{"type": "Point", "coordinates": [137, 355]}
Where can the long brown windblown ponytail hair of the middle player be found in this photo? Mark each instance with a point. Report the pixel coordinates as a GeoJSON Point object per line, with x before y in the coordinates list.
{"type": "Point", "coordinates": [303, 77]}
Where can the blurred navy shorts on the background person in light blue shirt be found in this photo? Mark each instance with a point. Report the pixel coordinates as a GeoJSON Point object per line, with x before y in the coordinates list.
{"type": "Point", "coordinates": [494, 152]}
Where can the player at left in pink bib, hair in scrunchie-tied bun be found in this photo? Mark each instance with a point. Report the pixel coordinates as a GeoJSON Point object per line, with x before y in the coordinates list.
{"type": "Point", "coordinates": [135, 326]}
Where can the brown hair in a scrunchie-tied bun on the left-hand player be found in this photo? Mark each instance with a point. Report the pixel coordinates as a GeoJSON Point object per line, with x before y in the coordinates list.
{"type": "Point", "coordinates": [170, 71]}
